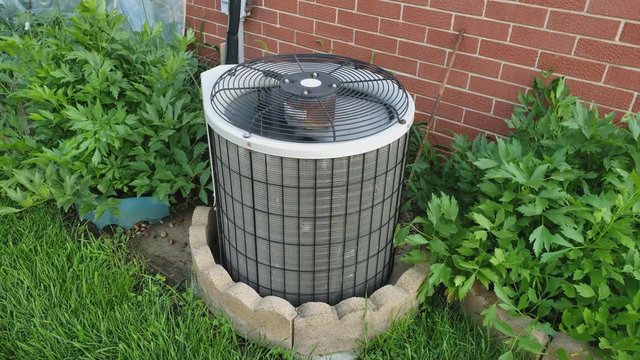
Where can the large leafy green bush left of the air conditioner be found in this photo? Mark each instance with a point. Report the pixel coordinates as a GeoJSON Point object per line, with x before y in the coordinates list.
{"type": "Point", "coordinates": [99, 113]}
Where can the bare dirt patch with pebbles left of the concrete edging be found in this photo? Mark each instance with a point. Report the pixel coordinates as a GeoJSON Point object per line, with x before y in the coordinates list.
{"type": "Point", "coordinates": [165, 247]}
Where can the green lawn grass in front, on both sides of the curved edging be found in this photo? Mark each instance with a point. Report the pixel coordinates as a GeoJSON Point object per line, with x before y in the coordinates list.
{"type": "Point", "coordinates": [65, 295]}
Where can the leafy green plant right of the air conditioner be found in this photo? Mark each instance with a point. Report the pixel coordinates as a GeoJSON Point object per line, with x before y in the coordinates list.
{"type": "Point", "coordinates": [555, 226]}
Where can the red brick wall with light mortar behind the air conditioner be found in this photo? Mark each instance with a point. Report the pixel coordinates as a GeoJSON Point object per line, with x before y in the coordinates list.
{"type": "Point", "coordinates": [595, 43]}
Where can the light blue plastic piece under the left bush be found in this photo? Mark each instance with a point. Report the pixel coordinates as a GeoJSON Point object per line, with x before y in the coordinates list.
{"type": "Point", "coordinates": [132, 211]}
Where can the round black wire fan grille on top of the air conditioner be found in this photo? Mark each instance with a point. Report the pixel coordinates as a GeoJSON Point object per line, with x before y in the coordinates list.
{"type": "Point", "coordinates": [309, 98]}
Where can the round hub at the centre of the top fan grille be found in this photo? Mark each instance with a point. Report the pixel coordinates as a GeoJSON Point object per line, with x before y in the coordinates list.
{"type": "Point", "coordinates": [310, 84]}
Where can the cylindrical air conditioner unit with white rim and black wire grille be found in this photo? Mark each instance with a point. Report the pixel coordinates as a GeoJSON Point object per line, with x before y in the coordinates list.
{"type": "Point", "coordinates": [307, 153]}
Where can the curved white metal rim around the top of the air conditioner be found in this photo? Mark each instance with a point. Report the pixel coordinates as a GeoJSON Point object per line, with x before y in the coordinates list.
{"type": "Point", "coordinates": [292, 149]}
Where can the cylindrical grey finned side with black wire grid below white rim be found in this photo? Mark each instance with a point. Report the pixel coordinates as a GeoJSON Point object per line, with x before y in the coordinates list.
{"type": "Point", "coordinates": [308, 230]}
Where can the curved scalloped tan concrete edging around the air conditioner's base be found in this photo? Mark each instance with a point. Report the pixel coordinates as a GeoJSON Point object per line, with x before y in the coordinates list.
{"type": "Point", "coordinates": [313, 328]}
